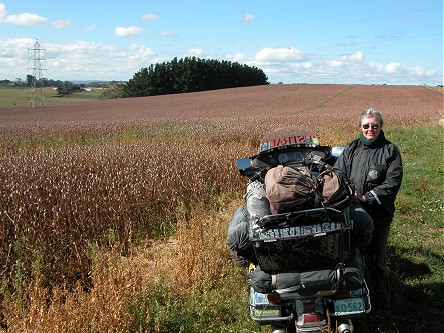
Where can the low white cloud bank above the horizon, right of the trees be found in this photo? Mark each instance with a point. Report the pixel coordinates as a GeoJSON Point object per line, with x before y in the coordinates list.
{"type": "Point", "coordinates": [291, 65]}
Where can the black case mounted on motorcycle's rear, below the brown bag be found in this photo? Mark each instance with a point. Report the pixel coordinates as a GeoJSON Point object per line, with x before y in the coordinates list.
{"type": "Point", "coordinates": [315, 238]}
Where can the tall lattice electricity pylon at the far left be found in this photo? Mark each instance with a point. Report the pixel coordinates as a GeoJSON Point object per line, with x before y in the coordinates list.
{"type": "Point", "coordinates": [37, 57]}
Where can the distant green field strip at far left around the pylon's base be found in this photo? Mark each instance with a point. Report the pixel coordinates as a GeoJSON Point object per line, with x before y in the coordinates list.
{"type": "Point", "coordinates": [19, 96]}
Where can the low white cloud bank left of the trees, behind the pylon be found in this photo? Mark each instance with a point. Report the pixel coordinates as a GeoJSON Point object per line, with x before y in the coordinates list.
{"type": "Point", "coordinates": [78, 60]}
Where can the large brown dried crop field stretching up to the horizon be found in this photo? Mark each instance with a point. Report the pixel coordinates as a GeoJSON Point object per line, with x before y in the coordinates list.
{"type": "Point", "coordinates": [88, 191]}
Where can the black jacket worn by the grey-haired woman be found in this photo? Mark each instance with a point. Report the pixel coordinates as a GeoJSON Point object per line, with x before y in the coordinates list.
{"type": "Point", "coordinates": [375, 171]}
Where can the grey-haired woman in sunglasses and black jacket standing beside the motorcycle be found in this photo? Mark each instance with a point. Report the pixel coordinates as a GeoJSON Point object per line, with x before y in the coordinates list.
{"type": "Point", "coordinates": [374, 166]}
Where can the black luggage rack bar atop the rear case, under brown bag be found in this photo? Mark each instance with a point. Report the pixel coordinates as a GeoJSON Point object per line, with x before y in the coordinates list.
{"type": "Point", "coordinates": [322, 214]}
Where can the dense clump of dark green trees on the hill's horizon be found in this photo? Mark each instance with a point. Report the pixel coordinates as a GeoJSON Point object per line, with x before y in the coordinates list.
{"type": "Point", "coordinates": [190, 75]}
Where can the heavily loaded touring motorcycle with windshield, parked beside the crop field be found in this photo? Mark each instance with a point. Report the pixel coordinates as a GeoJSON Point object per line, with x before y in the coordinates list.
{"type": "Point", "coordinates": [304, 275]}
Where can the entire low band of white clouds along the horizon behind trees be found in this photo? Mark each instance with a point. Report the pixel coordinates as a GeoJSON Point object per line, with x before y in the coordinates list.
{"type": "Point", "coordinates": [84, 60]}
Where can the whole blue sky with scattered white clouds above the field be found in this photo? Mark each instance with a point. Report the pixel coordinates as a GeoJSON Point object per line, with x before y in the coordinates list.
{"type": "Point", "coordinates": [291, 41]}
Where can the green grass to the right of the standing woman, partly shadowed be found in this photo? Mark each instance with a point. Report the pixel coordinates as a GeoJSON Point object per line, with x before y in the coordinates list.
{"type": "Point", "coordinates": [417, 236]}
